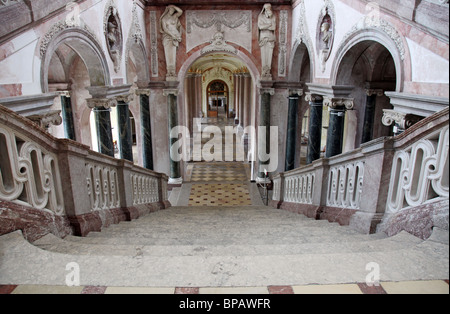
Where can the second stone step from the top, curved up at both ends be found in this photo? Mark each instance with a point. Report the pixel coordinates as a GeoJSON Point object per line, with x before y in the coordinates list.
{"type": "Point", "coordinates": [369, 244]}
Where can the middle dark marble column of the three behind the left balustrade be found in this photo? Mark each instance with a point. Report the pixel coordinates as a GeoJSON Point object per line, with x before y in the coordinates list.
{"type": "Point", "coordinates": [125, 131]}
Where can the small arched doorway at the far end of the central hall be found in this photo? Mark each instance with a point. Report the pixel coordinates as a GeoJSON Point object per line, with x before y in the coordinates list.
{"type": "Point", "coordinates": [217, 99]}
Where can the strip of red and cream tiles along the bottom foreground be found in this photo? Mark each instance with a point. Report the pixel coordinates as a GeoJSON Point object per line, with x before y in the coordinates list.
{"type": "Point", "coordinates": [407, 287]}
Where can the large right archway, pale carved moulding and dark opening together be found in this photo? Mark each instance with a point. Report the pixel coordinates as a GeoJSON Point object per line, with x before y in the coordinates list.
{"type": "Point", "coordinates": [372, 61]}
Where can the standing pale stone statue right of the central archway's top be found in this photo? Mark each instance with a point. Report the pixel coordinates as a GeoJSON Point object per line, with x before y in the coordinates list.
{"type": "Point", "coordinates": [267, 24]}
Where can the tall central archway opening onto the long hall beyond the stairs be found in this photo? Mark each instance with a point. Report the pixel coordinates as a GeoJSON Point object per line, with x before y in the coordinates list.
{"type": "Point", "coordinates": [238, 99]}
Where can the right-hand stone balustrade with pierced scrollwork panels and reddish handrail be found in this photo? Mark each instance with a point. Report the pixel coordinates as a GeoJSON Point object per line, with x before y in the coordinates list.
{"type": "Point", "coordinates": [375, 180]}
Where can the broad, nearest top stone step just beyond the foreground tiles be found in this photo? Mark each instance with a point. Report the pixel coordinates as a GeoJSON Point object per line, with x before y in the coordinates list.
{"type": "Point", "coordinates": [24, 263]}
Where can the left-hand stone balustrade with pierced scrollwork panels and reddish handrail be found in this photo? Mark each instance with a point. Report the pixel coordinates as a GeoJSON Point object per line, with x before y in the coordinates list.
{"type": "Point", "coordinates": [65, 178]}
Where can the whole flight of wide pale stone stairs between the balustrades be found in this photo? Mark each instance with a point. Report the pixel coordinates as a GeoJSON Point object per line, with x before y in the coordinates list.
{"type": "Point", "coordinates": [221, 247]}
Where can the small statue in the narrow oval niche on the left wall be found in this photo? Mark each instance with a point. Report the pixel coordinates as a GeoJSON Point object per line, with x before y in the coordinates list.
{"type": "Point", "coordinates": [114, 38]}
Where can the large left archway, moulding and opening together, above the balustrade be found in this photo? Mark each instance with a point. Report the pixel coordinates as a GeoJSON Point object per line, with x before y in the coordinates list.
{"type": "Point", "coordinates": [72, 61]}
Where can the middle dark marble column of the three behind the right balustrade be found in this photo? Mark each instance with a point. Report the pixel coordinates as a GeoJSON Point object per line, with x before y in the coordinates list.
{"type": "Point", "coordinates": [315, 126]}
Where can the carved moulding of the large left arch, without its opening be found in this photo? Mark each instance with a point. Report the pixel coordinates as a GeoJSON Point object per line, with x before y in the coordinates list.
{"type": "Point", "coordinates": [84, 44]}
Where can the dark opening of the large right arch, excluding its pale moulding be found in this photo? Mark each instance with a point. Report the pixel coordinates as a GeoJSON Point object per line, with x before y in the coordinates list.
{"type": "Point", "coordinates": [371, 69]}
